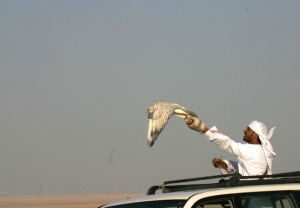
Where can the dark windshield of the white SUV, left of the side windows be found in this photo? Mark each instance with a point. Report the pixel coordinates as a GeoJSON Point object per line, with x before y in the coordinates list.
{"type": "Point", "coordinates": [154, 204]}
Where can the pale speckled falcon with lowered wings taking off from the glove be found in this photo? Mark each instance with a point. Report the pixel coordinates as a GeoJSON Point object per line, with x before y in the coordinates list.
{"type": "Point", "coordinates": [159, 114]}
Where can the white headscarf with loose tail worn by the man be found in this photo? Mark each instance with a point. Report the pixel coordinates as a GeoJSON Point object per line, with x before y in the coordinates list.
{"type": "Point", "coordinates": [261, 129]}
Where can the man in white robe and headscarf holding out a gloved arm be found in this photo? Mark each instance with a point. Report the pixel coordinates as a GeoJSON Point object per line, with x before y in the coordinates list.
{"type": "Point", "coordinates": [253, 158]}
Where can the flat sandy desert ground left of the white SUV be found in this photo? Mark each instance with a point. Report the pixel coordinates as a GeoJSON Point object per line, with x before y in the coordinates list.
{"type": "Point", "coordinates": [60, 201]}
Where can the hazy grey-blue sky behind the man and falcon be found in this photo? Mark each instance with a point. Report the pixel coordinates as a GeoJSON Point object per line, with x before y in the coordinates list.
{"type": "Point", "coordinates": [76, 78]}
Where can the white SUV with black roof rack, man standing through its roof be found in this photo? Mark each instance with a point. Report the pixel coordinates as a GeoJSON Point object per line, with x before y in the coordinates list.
{"type": "Point", "coordinates": [279, 190]}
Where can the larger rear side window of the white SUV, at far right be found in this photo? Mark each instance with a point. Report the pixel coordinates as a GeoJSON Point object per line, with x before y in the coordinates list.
{"type": "Point", "coordinates": [268, 200]}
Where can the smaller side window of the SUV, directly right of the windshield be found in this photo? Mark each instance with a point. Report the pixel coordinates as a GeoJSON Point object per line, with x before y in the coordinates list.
{"type": "Point", "coordinates": [215, 203]}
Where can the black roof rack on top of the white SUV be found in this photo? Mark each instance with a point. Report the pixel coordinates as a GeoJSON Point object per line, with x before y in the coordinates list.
{"type": "Point", "coordinates": [229, 180]}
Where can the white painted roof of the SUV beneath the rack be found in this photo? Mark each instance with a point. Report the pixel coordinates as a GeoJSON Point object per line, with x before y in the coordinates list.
{"type": "Point", "coordinates": [184, 195]}
